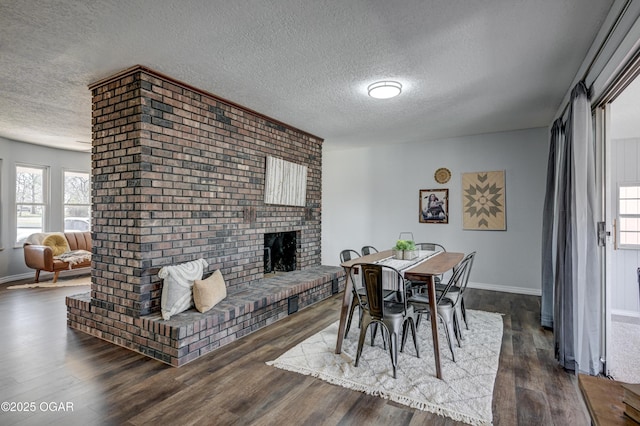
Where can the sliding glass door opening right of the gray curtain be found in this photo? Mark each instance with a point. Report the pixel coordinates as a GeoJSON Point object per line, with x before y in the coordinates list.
{"type": "Point", "coordinates": [621, 120]}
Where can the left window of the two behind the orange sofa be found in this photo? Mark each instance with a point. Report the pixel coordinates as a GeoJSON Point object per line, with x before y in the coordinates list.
{"type": "Point", "coordinates": [31, 198]}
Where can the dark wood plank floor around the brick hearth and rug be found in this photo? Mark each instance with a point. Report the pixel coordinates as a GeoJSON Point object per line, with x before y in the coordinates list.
{"type": "Point", "coordinates": [42, 361]}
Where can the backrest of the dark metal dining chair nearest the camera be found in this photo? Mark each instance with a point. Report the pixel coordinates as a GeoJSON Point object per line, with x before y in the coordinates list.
{"type": "Point", "coordinates": [372, 280]}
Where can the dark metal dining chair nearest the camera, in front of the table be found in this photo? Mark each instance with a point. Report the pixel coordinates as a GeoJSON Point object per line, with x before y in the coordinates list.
{"type": "Point", "coordinates": [395, 317]}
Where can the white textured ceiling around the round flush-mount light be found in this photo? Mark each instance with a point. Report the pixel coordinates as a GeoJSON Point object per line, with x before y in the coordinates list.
{"type": "Point", "coordinates": [467, 67]}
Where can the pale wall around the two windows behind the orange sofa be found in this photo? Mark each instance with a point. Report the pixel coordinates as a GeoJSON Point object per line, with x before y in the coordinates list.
{"type": "Point", "coordinates": [12, 265]}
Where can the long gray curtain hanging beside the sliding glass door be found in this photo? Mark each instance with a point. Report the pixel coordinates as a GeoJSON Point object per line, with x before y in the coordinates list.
{"type": "Point", "coordinates": [571, 274]}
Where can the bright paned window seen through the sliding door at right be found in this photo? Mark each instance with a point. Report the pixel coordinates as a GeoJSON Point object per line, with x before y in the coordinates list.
{"type": "Point", "coordinates": [629, 215]}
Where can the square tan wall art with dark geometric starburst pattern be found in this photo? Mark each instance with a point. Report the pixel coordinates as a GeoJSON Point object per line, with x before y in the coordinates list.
{"type": "Point", "coordinates": [483, 201]}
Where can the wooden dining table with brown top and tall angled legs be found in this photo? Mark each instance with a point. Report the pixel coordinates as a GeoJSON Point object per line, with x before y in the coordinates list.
{"type": "Point", "coordinates": [422, 272]}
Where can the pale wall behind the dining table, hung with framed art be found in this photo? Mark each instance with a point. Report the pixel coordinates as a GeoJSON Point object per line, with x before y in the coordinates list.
{"type": "Point", "coordinates": [370, 195]}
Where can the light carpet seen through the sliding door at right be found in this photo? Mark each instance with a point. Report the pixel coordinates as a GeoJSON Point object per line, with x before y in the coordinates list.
{"type": "Point", "coordinates": [625, 352]}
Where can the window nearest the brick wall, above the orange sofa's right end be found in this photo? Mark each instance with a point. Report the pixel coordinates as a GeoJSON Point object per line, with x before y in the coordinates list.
{"type": "Point", "coordinates": [77, 201]}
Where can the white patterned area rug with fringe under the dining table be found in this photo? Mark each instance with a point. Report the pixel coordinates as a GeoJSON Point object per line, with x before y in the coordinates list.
{"type": "Point", "coordinates": [464, 395]}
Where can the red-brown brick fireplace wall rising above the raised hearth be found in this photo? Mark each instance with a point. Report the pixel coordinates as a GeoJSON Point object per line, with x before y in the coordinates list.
{"type": "Point", "coordinates": [179, 174]}
